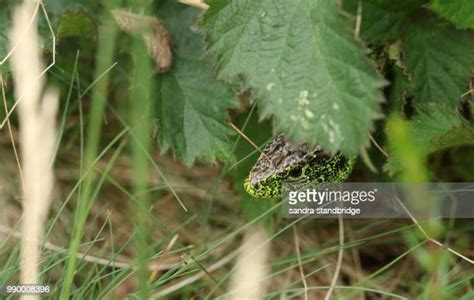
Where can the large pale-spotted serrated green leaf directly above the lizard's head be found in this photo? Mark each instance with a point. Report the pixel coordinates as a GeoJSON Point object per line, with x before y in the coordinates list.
{"type": "Point", "coordinates": [303, 65]}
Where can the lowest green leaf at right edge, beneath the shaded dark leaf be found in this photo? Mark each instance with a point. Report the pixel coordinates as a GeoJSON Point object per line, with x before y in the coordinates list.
{"type": "Point", "coordinates": [437, 128]}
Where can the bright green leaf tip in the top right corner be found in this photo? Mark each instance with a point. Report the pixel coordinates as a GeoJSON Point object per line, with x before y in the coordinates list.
{"type": "Point", "coordinates": [459, 12]}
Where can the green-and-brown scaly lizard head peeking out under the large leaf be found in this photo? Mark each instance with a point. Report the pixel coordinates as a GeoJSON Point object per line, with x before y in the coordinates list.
{"type": "Point", "coordinates": [285, 166]}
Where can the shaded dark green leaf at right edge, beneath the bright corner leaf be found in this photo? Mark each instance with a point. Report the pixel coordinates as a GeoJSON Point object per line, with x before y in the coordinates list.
{"type": "Point", "coordinates": [440, 60]}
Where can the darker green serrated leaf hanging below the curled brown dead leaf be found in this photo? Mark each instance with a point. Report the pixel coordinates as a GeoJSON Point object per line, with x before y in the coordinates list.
{"type": "Point", "coordinates": [192, 104]}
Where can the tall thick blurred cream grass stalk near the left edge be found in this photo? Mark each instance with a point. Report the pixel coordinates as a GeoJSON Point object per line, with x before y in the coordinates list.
{"type": "Point", "coordinates": [37, 137]}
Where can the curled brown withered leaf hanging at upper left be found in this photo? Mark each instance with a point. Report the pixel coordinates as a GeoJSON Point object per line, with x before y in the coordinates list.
{"type": "Point", "coordinates": [155, 35]}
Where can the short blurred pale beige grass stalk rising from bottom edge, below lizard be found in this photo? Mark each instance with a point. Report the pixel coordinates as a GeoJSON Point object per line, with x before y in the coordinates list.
{"type": "Point", "coordinates": [251, 267]}
